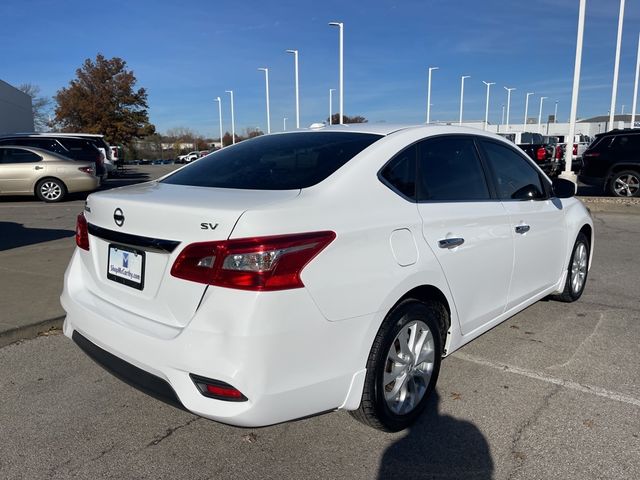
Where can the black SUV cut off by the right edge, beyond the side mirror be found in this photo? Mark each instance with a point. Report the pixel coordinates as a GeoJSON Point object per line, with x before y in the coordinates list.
{"type": "Point", "coordinates": [612, 162]}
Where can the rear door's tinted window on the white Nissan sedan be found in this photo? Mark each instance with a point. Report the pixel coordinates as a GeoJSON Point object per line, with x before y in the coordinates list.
{"type": "Point", "coordinates": [450, 170]}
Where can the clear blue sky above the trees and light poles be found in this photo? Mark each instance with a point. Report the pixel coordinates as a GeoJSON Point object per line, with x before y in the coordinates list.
{"type": "Point", "coordinates": [187, 53]}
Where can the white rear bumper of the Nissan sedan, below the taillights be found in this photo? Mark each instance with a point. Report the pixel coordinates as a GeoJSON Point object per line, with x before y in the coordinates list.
{"type": "Point", "coordinates": [274, 347]}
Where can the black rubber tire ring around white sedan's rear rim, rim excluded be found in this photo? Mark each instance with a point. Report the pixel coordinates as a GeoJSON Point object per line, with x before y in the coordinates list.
{"type": "Point", "coordinates": [403, 314]}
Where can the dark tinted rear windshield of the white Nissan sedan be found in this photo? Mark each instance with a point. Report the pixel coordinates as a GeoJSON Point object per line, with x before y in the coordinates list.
{"type": "Point", "coordinates": [275, 162]}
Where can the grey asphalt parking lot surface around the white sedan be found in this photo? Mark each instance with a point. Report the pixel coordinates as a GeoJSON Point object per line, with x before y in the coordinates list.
{"type": "Point", "coordinates": [554, 392]}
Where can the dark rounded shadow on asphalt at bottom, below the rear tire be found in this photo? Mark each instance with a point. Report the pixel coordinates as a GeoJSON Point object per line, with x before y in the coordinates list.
{"type": "Point", "coordinates": [438, 446]}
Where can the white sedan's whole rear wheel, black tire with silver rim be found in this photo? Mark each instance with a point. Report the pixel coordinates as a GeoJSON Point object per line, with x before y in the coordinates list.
{"type": "Point", "coordinates": [397, 384]}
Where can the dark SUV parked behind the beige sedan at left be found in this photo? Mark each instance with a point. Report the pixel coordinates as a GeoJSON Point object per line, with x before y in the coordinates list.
{"type": "Point", "coordinates": [70, 147]}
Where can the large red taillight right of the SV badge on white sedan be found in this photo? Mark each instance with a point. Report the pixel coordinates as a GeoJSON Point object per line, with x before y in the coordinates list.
{"type": "Point", "coordinates": [260, 263]}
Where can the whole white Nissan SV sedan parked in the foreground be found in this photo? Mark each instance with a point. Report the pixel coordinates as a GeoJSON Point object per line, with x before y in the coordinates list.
{"type": "Point", "coordinates": [317, 270]}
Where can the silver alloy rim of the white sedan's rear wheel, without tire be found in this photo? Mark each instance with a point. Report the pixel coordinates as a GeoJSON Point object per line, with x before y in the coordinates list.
{"type": "Point", "coordinates": [408, 367]}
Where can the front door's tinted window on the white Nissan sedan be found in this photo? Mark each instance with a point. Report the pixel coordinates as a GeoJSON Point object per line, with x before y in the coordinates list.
{"type": "Point", "coordinates": [515, 178]}
